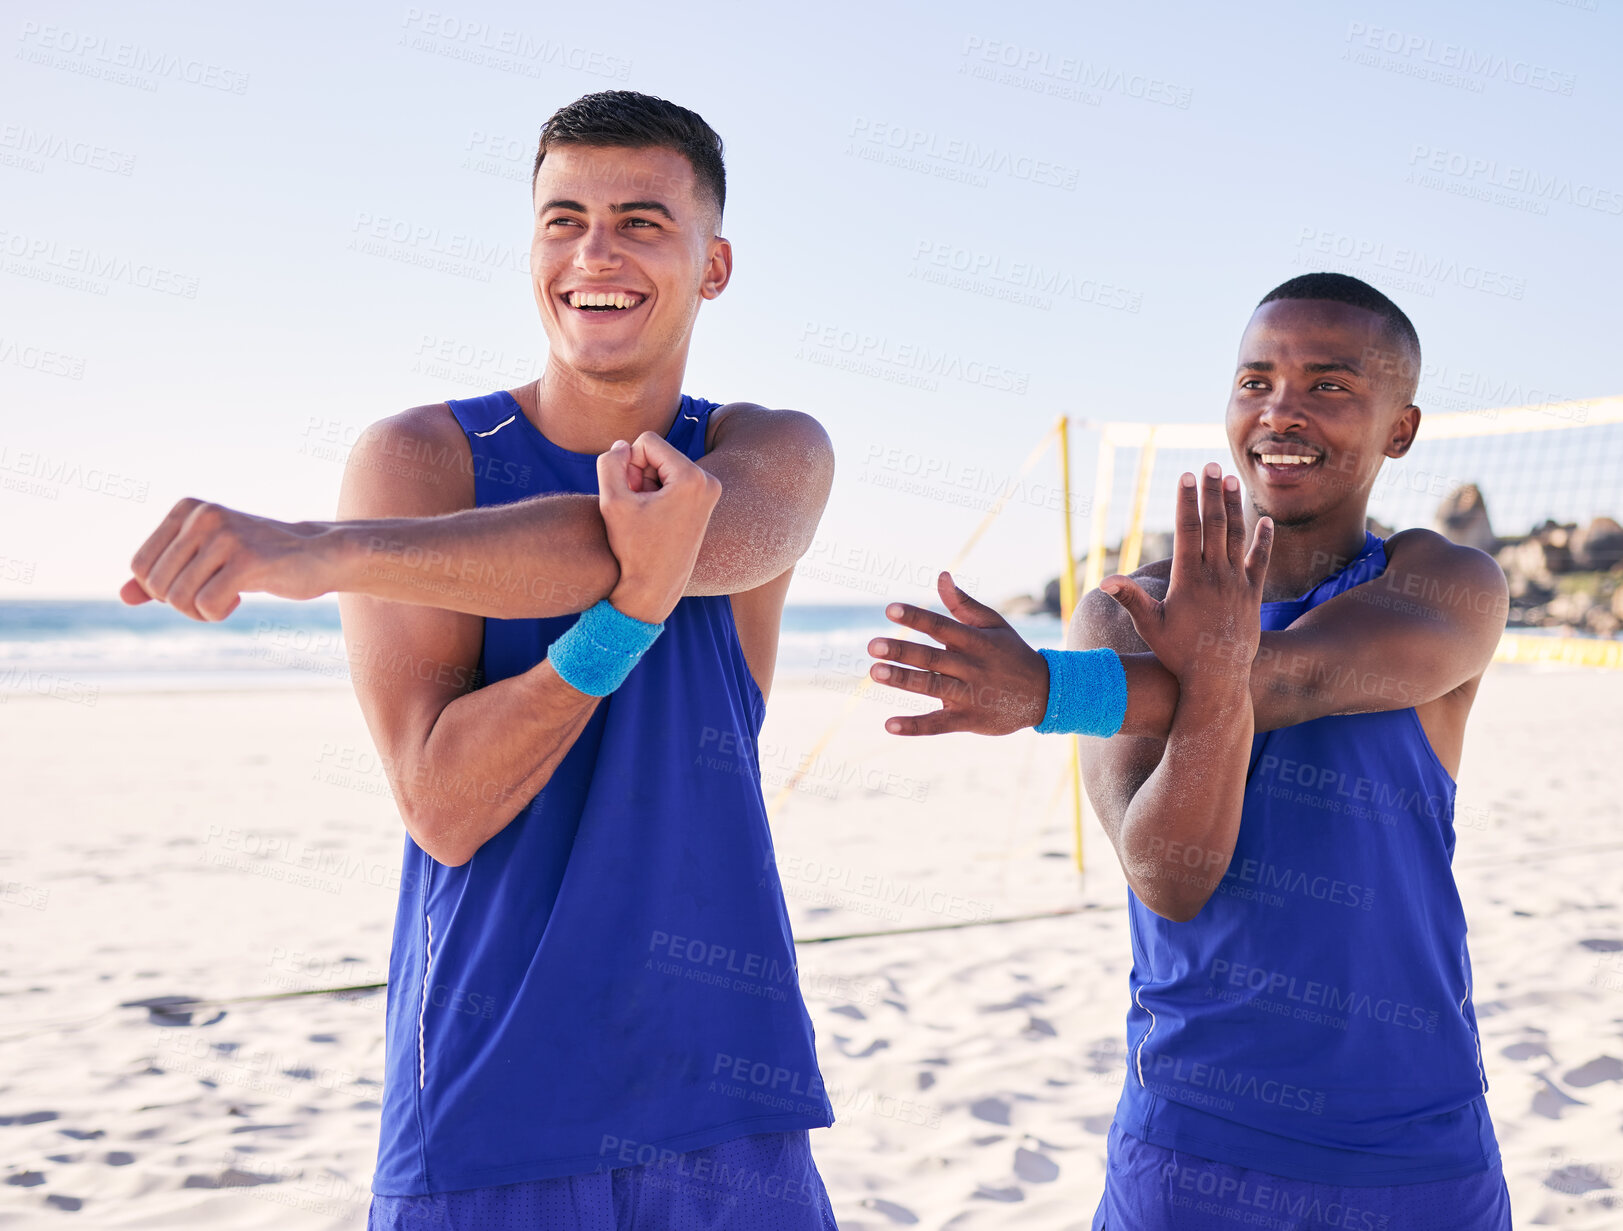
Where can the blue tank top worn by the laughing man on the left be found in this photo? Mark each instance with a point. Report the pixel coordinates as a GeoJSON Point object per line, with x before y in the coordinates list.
{"type": "Point", "coordinates": [613, 975]}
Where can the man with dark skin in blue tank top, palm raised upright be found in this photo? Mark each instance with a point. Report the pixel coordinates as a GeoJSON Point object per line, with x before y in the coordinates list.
{"type": "Point", "coordinates": [1280, 797]}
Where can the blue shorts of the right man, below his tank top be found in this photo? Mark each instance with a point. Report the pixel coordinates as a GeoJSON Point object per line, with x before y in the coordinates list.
{"type": "Point", "coordinates": [1155, 1190]}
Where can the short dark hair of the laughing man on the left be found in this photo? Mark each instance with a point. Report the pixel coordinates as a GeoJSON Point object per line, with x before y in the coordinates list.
{"type": "Point", "coordinates": [622, 118]}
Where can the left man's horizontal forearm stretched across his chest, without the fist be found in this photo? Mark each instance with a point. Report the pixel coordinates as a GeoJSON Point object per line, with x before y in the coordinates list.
{"type": "Point", "coordinates": [548, 556]}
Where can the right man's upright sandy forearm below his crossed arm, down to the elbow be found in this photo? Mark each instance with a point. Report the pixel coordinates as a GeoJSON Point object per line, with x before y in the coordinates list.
{"type": "Point", "coordinates": [1181, 827]}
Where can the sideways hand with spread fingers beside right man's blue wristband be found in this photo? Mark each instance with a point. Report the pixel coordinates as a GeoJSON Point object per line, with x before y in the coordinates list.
{"type": "Point", "coordinates": [988, 680]}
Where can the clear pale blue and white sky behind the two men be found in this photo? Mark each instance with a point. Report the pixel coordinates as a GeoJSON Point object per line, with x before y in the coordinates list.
{"type": "Point", "coordinates": [230, 241]}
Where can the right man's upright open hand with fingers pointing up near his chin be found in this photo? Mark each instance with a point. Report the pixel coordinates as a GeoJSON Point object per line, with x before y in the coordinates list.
{"type": "Point", "coordinates": [1208, 628]}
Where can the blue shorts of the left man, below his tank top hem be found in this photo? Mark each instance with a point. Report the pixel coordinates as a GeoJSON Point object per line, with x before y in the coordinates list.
{"type": "Point", "coordinates": [764, 1183]}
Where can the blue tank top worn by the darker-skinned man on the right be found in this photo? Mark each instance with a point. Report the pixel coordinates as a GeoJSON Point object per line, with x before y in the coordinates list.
{"type": "Point", "coordinates": [1315, 1019]}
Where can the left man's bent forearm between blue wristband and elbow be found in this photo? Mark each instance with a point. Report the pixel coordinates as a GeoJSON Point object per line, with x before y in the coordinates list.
{"type": "Point", "coordinates": [488, 756]}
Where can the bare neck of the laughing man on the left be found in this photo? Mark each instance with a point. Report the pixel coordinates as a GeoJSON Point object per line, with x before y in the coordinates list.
{"type": "Point", "coordinates": [587, 415]}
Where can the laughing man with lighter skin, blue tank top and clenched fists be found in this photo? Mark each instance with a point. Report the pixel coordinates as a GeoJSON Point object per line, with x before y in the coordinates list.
{"type": "Point", "coordinates": [561, 607]}
